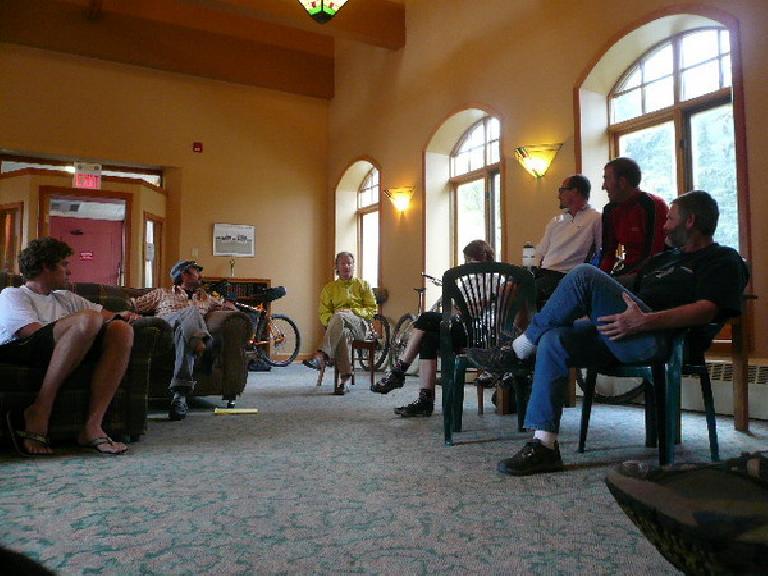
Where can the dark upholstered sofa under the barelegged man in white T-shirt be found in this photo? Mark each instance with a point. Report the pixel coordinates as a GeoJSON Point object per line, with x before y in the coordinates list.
{"type": "Point", "coordinates": [126, 417]}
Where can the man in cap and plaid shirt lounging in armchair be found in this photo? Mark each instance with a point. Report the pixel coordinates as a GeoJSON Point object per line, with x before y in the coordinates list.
{"type": "Point", "coordinates": [184, 306]}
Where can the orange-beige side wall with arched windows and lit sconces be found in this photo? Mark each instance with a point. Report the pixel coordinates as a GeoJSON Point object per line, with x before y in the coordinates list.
{"type": "Point", "coordinates": [521, 61]}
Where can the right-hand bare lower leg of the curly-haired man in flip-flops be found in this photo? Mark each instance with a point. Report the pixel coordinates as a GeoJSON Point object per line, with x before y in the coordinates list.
{"type": "Point", "coordinates": [109, 372]}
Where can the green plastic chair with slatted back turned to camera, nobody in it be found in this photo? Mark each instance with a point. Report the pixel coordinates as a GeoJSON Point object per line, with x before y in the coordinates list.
{"type": "Point", "coordinates": [495, 301]}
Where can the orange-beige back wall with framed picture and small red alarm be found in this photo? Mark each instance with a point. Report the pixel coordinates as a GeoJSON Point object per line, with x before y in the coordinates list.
{"type": "Point", "coordinates": [264, 161]}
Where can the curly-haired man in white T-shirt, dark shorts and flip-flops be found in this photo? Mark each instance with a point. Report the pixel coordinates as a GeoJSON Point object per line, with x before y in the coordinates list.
{"type": "Point", "coordinates": [41, 323]}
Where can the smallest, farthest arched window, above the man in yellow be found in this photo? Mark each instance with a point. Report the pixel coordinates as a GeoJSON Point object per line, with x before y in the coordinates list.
{"type": "Point", "coordinates": [368, 227]}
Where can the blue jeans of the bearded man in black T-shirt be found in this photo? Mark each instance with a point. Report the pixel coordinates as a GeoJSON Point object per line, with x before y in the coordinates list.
{"type": "Point", "coordinates": [564, 341]}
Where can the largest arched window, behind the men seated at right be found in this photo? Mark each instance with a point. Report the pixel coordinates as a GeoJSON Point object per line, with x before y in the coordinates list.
{"type": "Point", "coordinates": [672, 112]}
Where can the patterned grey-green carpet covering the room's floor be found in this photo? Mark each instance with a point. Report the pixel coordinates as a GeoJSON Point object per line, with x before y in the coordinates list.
{"type": "Point", "coordinates": [321, 484]}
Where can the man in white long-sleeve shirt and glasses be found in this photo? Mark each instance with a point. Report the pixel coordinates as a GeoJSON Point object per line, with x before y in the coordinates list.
{"type": "Point", "coordinates": [569, 238]}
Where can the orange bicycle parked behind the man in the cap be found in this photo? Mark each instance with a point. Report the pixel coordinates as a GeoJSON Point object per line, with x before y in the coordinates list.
{"type": "Point", "coordinates": [276, 338]}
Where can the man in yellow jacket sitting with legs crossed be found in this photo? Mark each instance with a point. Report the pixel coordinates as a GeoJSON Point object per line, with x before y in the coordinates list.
{"type": "Point", "coordinates": [347, 304]}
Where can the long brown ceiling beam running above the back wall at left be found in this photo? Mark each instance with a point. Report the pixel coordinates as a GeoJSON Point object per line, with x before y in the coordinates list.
{"type": "Point", "coordinates": [202, 50]}
